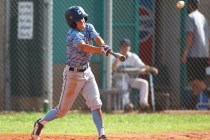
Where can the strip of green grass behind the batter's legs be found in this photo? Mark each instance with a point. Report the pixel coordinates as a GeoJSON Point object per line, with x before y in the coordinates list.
{"type": "Point", "coordinates": [82, 124]}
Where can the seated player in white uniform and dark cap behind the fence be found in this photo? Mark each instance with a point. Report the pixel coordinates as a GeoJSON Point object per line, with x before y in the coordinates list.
{"type": "Point", "coordinates": [133, 60]}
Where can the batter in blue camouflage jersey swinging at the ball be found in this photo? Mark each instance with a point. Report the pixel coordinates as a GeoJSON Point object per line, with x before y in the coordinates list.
{"type": "Point", "coordinates": [77, 74]}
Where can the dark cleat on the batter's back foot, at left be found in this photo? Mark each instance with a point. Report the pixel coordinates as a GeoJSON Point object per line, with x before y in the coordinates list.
{"type": "Point", "coordinates": [37, 130]}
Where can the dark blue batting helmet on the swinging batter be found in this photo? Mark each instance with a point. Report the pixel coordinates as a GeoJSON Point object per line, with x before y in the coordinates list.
{"type": "Point", "coordinates": [73, 14]}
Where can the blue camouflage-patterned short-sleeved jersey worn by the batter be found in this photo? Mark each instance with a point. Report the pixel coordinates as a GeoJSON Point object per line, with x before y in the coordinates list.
{"type": "Point", "coordinates": [76, 57]}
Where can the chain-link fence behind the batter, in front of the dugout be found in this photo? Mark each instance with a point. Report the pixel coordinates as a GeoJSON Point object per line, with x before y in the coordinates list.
{"type": "Point", "coordinates": [33, 50]}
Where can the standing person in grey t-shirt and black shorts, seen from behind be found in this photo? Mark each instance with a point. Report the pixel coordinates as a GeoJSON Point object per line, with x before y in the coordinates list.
{"type": "Point", "coordinates": [196, 51]}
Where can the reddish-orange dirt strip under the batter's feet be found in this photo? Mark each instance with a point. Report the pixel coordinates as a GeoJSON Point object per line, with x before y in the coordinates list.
{"type": "Point", "coordinates": [168, 136]}
